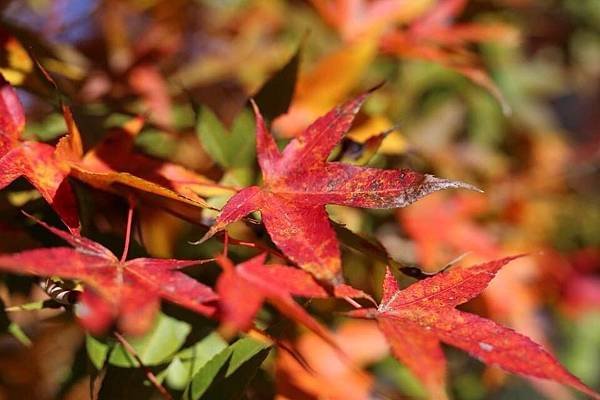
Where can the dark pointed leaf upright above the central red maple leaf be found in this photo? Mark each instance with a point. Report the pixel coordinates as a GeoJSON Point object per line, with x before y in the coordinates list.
{"type": "Point", "coordinates": [275, 97]}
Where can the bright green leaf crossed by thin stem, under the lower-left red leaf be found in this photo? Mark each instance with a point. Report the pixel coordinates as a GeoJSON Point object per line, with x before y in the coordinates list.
{"type": "Point", "coordinates": [155, 347]}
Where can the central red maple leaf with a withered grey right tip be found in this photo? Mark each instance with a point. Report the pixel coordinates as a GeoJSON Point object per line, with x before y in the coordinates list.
{"type": "Point", "coordinates": [299, 182]}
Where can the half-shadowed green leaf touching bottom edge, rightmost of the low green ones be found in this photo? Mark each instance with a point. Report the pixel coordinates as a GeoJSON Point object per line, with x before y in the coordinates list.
{"type": "Point", "coordinates": [227, 374]}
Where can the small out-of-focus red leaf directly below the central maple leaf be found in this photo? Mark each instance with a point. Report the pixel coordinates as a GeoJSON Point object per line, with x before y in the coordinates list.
{"type": "Point", "coordinates": [244, 288]}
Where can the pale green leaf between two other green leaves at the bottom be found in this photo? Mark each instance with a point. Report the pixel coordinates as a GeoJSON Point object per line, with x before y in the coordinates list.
{"type": "Point", "coordinates": [188, 361]}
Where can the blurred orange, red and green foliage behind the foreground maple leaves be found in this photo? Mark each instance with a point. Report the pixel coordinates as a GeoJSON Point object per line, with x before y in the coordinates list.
{"type": "Point", "coordinates": [503, 94]}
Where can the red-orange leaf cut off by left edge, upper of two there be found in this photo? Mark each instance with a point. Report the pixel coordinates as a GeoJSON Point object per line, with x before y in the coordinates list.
{"type": "Point", "coordinates": [32, 160]}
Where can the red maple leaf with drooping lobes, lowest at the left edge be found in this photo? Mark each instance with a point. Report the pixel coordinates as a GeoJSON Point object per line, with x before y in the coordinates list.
{"type": "Point", "coordinates": [128, 291]}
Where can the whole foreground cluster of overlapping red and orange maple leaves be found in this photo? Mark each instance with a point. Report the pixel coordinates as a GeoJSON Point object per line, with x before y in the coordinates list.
{"type": "Point", "coordinates": [298, 182]}
